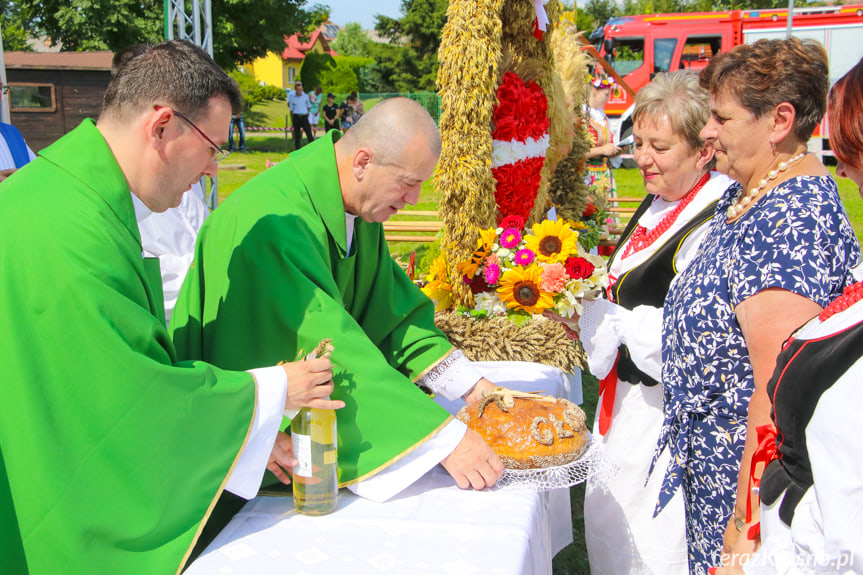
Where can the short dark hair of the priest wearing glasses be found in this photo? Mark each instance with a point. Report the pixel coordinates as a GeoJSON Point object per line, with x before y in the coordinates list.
{"type": "Point", "coordinates": [175, 73]}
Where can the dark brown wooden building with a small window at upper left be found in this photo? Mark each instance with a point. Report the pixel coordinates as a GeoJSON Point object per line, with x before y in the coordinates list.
{"type": "Point", "coordinates": [52, 92]}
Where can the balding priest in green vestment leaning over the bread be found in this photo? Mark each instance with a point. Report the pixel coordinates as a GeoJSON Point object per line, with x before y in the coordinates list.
{"type": "Point", "coordinates": [298, 254]}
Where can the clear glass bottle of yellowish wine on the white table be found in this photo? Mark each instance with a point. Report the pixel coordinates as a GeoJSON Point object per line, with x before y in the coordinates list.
{"type": "Point", "coordinates": [313, 438]}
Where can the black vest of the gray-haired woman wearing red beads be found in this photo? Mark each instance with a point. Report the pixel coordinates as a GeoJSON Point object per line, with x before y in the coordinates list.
{"type": "Point", "coordinates": [648, 283]}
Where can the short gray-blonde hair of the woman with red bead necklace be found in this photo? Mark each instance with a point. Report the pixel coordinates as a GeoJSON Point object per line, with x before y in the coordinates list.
{"type": "Point", "coordinates": [677, 97]}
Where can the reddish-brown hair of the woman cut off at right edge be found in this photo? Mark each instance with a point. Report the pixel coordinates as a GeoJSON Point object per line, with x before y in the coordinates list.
{"type": "Point", "coordinates": [845, 112]}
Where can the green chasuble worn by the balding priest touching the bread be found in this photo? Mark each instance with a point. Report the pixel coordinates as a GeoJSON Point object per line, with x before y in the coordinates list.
{"type": "Point", "coordinates": [272, 276]}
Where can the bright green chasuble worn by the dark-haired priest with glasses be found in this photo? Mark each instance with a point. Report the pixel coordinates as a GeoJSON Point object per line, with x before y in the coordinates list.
{"type": "Point", "coordinates": [112, 453]}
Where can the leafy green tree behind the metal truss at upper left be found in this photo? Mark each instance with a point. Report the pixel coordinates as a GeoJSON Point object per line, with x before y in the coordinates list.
{"type": "Point", "coordinates": [242, 29]}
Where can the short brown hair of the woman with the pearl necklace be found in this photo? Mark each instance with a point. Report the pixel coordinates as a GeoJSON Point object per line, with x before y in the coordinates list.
{"type": "Point", "coordinates": [762, 75]}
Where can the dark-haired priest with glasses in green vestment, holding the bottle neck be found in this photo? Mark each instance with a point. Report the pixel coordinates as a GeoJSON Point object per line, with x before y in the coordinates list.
{"type": "Point", "coordinates": [113, 453]}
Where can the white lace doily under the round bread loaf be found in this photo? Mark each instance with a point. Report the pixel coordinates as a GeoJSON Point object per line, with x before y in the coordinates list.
{"type": "Point", "coordinates": [593, 464]}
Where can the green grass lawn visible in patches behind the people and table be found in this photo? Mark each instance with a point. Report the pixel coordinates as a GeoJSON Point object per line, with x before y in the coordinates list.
{"type": "Point", "coordinates": [573, 559]}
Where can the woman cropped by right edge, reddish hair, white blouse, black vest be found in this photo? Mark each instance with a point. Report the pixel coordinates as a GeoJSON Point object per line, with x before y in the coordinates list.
{"type": "Point", "coordinates": [808, 467]}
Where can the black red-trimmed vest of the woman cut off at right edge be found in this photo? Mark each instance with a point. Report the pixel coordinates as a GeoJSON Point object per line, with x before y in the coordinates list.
{"type": "Point", "coordinates": [804, 371]}
